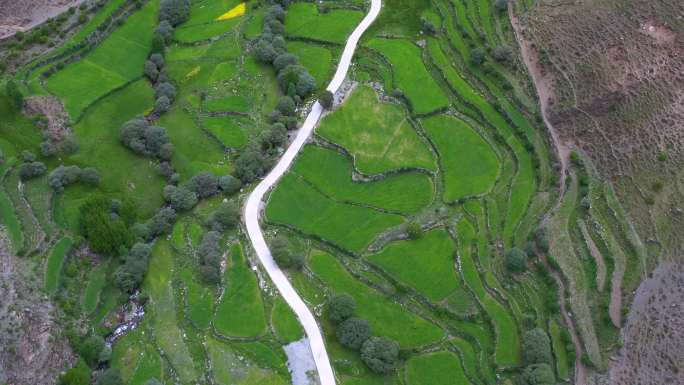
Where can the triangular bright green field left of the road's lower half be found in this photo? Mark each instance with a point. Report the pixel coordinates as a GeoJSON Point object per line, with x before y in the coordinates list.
{"type": "Point", "coordinates": [241, 311]}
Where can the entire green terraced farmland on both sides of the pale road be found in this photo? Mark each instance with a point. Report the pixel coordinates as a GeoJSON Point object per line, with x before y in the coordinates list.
{"type": "Point", "coordinates": [428, 194]}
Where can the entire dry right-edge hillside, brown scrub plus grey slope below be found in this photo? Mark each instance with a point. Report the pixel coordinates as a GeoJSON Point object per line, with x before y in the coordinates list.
{"type": "Point", "coordinates": [616, 95]}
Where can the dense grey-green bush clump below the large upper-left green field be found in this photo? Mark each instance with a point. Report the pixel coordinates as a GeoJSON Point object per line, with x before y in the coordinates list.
{"type": "Point", "coordinates": [145, 139]}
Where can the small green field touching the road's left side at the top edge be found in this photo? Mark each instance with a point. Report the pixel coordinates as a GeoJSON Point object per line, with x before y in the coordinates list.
{"type": "Point", "coordinates": [304, 20]}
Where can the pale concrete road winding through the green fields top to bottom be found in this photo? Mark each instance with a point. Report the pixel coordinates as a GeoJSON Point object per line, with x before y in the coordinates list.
{"type": "Point", "coordinates": [253, 206]}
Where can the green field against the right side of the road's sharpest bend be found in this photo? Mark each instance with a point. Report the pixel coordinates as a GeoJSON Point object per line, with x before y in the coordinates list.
{"type": "Point", "coordinates": [297, 204]}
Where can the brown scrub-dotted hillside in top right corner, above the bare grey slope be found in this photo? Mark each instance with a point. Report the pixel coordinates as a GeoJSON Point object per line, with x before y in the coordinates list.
{"type": "Point", "coordinates": [618, 84]}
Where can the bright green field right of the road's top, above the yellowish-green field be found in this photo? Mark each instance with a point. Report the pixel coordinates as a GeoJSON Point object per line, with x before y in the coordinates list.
{"type": "Point", "coordinates": [410, 74]}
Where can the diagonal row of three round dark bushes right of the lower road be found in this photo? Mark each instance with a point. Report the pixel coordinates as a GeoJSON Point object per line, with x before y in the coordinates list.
{"type": "Point", "coordinates": [380, 354]}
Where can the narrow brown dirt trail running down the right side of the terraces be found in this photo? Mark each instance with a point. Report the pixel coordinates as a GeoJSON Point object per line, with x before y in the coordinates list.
{"type": "Point", "coordinates": [544, 89]}
